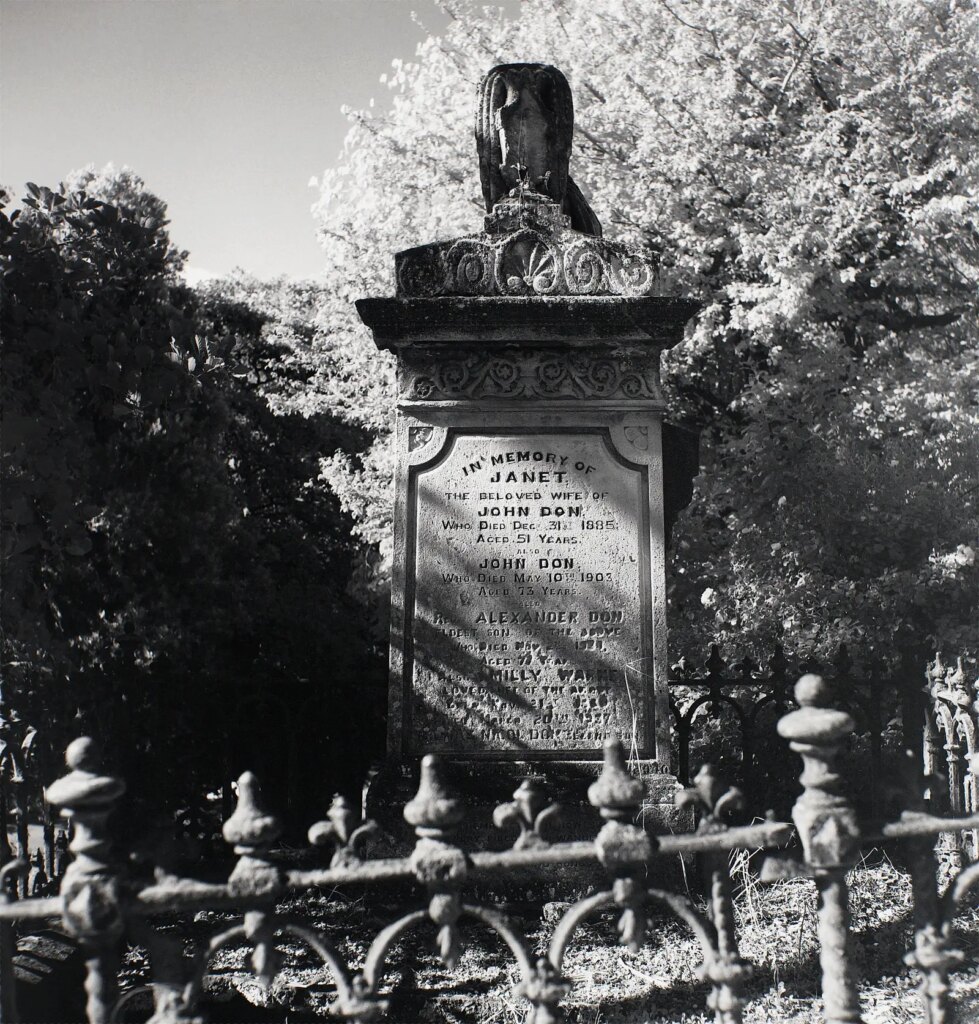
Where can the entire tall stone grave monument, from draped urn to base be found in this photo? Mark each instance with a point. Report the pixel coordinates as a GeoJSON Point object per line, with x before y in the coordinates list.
{"type": "Point", "coordinates": [529, 598]}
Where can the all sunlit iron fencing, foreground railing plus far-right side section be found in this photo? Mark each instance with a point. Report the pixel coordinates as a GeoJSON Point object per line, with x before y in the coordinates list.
{"type": "Point", "coordinates": [98, 907]}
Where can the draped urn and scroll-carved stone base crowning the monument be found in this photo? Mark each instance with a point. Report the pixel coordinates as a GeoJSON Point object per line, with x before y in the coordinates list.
{"type": "Point", "coordinates": [540, 236]}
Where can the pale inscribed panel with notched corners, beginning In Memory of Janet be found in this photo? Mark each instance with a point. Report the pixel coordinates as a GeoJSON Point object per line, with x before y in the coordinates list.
{"type": "Point", "coordinates": [529, 596]}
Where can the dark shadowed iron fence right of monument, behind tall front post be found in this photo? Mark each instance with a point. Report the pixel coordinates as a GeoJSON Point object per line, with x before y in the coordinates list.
{"type": "Point", "coordinates": [732, 708]}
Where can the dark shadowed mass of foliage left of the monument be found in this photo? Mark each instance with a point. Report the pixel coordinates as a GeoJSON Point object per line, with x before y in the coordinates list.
{"type": "Point", "coordinates": [173, 571]}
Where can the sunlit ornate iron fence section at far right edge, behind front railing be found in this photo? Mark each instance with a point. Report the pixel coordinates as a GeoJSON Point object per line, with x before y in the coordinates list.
{"type": "Point", "coordinates": [952, 747]}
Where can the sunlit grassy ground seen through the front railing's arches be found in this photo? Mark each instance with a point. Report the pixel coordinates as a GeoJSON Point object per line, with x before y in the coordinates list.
{"type": "Point", "coordinates": [611, 986]}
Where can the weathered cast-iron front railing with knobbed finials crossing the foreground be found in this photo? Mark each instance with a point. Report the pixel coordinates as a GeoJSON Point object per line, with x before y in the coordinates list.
{"type": "Point", "coordinates": [100, 906]}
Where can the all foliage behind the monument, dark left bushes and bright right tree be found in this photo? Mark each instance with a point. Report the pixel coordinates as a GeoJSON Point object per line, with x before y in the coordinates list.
{"type": "Point", "coordinates": [184, 471]}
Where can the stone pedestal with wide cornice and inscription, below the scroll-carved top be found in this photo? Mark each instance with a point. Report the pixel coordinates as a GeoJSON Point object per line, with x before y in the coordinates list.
{"type": "Point", "coordinates": [529, 592]}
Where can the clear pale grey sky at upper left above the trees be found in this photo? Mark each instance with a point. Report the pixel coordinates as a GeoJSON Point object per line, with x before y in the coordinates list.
{"type": "Point", "coordinates": [227, 109]}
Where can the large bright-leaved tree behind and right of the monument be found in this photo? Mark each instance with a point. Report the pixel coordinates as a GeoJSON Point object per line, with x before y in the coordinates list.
{"type": "Point", "coordinates": [807, 172]}
